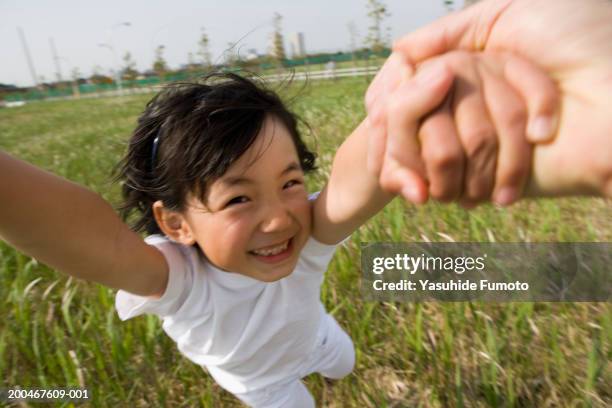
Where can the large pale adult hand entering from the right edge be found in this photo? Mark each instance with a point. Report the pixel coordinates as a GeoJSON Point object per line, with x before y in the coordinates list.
{"type": "Point", "coordinates": [572, 42]}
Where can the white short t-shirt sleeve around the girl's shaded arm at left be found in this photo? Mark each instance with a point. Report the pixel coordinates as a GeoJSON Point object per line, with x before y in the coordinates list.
{"type": "Point", "coordinates": [180, 281]}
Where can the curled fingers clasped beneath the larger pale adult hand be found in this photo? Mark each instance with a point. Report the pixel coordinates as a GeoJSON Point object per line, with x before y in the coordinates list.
{"type": "Point", "coordinates": [473, 146]}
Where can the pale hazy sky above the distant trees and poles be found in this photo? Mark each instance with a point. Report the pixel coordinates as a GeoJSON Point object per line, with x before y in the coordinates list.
{"type": "Point", "coordinates": [78, 27]}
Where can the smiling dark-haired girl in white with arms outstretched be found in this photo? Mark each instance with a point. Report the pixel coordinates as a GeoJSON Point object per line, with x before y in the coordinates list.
{"type": "Point", "coordinates": [237, 248]}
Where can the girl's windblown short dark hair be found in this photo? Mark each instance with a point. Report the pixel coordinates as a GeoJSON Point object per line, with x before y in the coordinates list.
{"type": "Point", "coordinates": [202, 129]}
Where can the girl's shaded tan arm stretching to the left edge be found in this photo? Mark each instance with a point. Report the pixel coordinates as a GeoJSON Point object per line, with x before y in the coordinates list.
{"type": "Point", "coordinates": [74, 230]}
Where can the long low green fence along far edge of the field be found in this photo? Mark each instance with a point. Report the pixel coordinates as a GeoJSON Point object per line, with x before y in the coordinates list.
{"type": "Point", "coordinates": [153, 83]}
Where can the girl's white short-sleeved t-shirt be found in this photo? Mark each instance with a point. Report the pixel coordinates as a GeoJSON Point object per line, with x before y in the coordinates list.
{"type": "Point", "coordinates": [248, 334]}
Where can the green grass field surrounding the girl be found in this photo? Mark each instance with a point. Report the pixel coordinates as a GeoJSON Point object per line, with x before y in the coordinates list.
{"type": "Point", "coordinates": [59, 332]}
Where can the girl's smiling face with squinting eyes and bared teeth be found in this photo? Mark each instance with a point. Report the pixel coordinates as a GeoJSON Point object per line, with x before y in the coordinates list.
{"type": "Point", "coordinates": [257, 215]}
